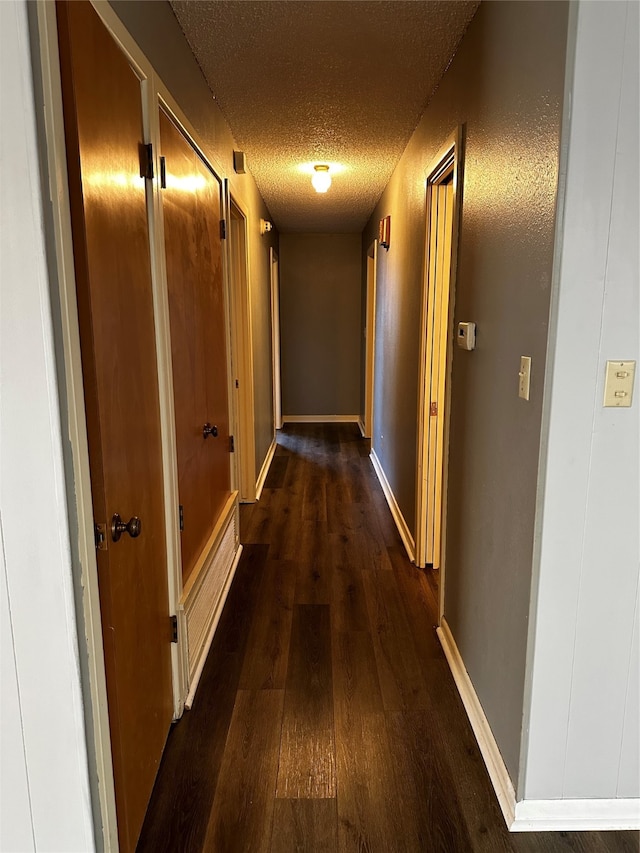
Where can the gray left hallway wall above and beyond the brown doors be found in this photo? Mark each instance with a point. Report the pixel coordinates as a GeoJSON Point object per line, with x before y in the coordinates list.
{"type": "Point", "coordinates": [156, 30]}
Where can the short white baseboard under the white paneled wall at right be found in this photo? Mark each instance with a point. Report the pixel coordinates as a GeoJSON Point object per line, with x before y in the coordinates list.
{"type": "Point", "coordinates": [576, 815]}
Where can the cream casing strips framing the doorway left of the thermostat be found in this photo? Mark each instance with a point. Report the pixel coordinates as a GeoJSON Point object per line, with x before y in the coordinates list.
{"type": "Point", "coordinates": [447, 162]}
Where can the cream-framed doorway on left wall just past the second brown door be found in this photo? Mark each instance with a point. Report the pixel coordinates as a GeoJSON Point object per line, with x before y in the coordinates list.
{"type": "Point", "coordinates": [241, 342]}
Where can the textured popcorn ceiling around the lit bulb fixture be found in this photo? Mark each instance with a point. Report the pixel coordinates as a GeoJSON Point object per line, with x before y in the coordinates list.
{"type": "Point", "coordinates": [338, 82]}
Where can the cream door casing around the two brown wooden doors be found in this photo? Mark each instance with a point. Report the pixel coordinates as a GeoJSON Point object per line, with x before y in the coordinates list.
{"type": "Point", "coordinates": [154, 95]}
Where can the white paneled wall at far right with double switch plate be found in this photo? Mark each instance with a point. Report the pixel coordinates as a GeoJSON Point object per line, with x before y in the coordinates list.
{"type": "Point", "coordinates": [584, 722]}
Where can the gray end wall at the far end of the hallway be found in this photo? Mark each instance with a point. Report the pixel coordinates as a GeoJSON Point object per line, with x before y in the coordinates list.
{"type": "Point", "coordinates": [320, 288]}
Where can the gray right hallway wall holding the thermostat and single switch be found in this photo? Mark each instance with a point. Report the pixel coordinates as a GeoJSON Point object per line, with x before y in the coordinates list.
{"type": "Point", "coordinates": [505, 86]}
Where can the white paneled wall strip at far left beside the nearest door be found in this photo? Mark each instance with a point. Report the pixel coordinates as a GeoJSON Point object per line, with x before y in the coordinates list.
{"type": "Point", "coordinates": [32, 488]}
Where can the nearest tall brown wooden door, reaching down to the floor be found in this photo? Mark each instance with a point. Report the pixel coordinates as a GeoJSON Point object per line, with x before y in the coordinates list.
{"type": "Point", "coordinates": [103, 123]}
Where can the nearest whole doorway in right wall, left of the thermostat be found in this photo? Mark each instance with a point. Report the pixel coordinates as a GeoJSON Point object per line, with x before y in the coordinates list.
{"type": "Point", "coordinates": [442, 203]}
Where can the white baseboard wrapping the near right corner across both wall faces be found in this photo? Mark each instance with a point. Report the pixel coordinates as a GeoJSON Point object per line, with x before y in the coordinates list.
{"type": "Point", "coordinates": [531, 815]}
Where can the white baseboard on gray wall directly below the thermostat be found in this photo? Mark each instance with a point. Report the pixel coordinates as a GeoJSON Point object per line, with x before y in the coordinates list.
{"type": "Point", "coordinates": [496, 767]}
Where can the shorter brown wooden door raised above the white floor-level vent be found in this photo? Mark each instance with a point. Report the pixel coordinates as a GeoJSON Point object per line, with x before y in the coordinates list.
{"type": "Point", "coordinates": [191, 212]}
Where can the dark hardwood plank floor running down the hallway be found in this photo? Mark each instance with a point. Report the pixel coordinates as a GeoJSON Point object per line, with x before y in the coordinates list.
{"type": "Point", "coordinates": [326, 718]}
